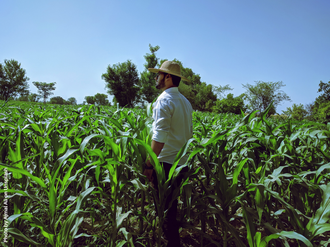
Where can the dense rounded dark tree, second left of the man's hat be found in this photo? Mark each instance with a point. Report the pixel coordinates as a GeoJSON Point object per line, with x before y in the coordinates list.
{"type": "Point", "coordinates": [122, 81]}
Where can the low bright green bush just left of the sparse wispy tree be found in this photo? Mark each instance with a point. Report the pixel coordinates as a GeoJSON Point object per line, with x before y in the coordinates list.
{"type": "Point", "coordinates": [230, 105]}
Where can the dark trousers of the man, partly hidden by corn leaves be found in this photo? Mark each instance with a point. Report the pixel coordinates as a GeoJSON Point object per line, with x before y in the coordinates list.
{"type": "Point", "coordinates": [171, 226]}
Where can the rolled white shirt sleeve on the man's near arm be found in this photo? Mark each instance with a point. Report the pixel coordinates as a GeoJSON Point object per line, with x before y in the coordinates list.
{"type": "Point", "coordinates": [162, 121]}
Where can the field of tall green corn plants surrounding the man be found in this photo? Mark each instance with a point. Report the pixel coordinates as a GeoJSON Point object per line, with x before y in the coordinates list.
{"type": "Point", "coordinates": [75, 179]}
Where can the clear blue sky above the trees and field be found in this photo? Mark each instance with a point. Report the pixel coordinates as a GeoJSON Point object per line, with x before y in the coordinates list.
{"type": "Point", "coordinates": [224, 41]}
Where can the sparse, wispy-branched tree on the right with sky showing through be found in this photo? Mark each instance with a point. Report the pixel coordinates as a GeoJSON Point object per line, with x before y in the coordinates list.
{"type": "Point", "coordinates": [262, 94]}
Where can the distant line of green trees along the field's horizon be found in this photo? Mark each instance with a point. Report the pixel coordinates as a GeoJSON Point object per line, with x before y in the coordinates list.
{"type": "Point", "coordinates": [130, 88]}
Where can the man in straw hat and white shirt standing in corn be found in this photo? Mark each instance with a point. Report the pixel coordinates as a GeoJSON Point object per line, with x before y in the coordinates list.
{"type": "Point", "coordinates": [172, 128]}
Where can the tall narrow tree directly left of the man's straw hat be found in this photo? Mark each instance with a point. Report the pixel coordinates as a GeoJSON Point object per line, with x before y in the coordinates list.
{"type": "Point", "coordinates": [148, 91]}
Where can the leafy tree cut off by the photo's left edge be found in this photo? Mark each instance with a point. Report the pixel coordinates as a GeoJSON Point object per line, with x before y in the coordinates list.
{"type": "Point", "coordinates": [13, 80]}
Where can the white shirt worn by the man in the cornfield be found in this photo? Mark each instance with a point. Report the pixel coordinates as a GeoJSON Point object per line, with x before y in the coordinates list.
{"type": "Point", "coordinates": [172, 124]}
